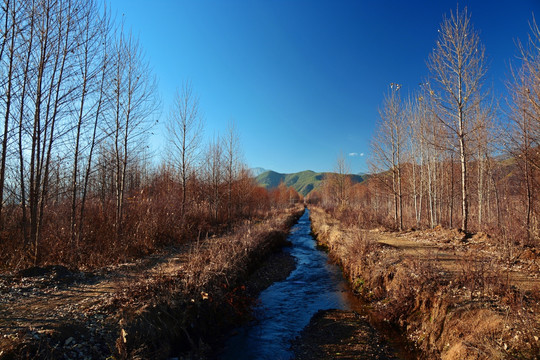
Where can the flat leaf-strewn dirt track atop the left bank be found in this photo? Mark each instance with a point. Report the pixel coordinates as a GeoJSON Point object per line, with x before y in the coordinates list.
{"type": "Point", "coordinates": [72, 307]}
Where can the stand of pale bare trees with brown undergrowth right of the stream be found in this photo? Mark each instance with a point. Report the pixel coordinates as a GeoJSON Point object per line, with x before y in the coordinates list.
{"type": "Point", "coordinates": [450, 154]}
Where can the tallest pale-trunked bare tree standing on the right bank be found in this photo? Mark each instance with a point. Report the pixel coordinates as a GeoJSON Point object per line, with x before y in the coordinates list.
{"type": "Point", "coordinates": [457, 71]}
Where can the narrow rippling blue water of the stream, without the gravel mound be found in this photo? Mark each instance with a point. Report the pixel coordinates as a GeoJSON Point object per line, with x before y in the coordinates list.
{"type": "Point", "coordinates": [286, 307]}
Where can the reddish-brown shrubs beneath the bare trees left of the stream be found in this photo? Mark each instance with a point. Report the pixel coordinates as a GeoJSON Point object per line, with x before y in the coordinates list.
{"type": "Point", "coordinates": [152, 220]}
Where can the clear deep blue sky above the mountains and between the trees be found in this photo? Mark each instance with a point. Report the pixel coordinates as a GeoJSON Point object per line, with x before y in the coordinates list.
{"type": "Point", "coordinates": [303, 79]}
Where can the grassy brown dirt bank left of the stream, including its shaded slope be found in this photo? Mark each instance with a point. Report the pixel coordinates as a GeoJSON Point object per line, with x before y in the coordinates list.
{"type": "Point", "coordinates": [173, 303]}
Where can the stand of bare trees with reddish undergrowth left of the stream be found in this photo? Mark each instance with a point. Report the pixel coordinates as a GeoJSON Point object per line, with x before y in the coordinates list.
{"type": "Point", "coordinates": [78, 184]}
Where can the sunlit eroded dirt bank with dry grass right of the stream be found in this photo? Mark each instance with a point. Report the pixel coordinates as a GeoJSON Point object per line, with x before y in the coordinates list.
{"type": "Point", "coordinates": [449, 295]}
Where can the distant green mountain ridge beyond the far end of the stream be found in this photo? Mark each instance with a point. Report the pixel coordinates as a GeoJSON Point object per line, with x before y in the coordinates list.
{"type": "Point", "coordinates": [304, 181]}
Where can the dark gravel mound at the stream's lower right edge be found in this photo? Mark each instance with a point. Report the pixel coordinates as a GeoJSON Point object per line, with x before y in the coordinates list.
{"type": "Point", "coordinates": [339, 334]}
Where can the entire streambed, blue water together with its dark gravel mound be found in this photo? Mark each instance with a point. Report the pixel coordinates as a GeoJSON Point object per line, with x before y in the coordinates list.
{"type": "Point", "coordinates": [300, 316]}
